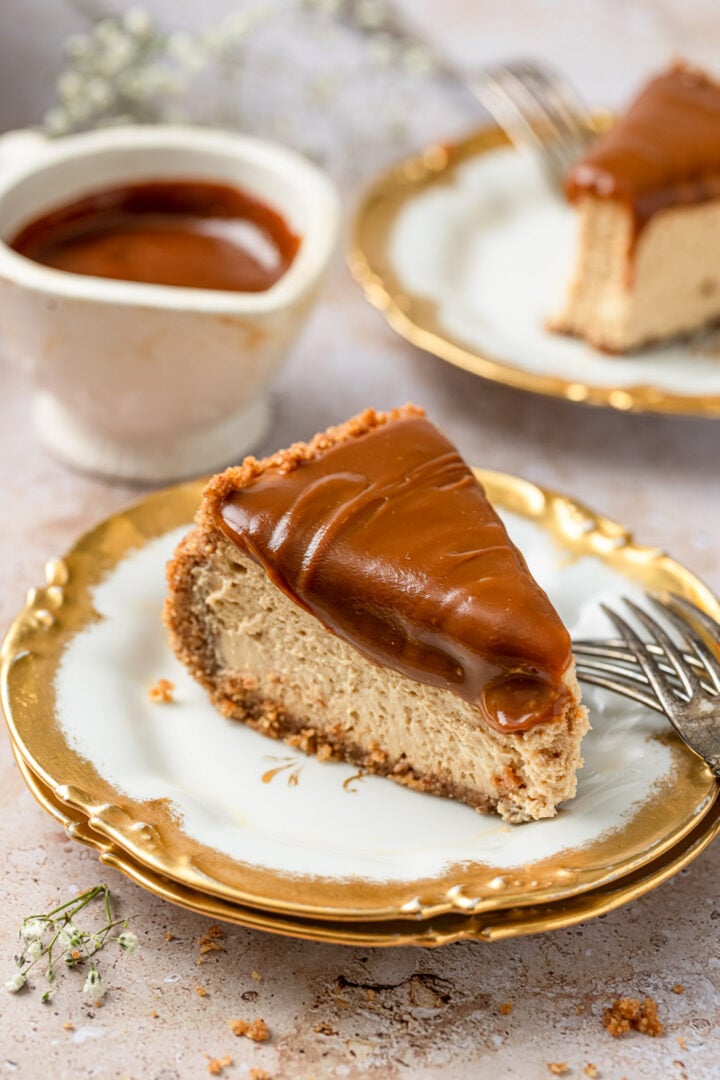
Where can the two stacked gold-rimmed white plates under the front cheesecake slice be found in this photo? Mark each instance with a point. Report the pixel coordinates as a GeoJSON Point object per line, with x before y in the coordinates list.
{"type": "Point", "coordinates": [212, 816]}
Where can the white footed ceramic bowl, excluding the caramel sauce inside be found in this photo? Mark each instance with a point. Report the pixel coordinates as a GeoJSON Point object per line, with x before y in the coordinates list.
{"type": "Point", "coordinates": [154, 383]}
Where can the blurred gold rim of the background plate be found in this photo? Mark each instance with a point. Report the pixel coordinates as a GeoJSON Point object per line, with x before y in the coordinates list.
{"type": "Point", "coordinates": [415, 318]}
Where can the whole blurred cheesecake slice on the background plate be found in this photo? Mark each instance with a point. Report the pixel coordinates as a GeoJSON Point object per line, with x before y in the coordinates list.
{"type": "Point", "coordinates": [648, 199]}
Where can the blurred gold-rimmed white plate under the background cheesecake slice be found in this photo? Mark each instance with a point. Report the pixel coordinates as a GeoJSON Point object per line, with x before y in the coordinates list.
{"type": "Point", "coordinates": [467, 253]}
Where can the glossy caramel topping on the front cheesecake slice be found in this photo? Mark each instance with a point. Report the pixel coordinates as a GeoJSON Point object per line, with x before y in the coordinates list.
{"type": "Point", "coordinates": [389, 541]}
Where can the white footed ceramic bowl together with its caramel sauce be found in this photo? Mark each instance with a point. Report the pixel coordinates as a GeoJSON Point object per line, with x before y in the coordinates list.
{"type": "Point", "coordinates": [154, 279]}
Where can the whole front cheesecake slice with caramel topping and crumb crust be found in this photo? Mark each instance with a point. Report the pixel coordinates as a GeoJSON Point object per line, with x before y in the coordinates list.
{"type": "Point", "coordinates": [359, 598]}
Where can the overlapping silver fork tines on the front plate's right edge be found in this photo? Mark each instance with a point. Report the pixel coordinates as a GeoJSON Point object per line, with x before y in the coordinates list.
{"type": "Point", "coordinates": [683, 683]}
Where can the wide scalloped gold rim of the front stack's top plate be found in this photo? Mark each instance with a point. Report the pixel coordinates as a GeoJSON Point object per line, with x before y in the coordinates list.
{"type": "Point", "coordinates": [148, 832]}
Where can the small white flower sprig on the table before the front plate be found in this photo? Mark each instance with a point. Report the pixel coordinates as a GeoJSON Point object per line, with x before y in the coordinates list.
{"type": "Point", "coordinates": [58, 939]}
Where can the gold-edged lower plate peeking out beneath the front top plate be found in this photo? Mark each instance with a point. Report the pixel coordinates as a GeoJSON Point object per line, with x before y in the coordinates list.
{"type": "Point", "coordinates": [441, 930]}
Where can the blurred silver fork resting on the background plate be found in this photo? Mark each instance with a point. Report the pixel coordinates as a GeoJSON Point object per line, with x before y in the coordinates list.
{"type": "Point", "coordinates": [538, 110]}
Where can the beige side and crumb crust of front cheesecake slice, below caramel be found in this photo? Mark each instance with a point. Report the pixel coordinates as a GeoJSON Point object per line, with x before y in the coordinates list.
{"type": "Point", "coordinates": [266, 661]}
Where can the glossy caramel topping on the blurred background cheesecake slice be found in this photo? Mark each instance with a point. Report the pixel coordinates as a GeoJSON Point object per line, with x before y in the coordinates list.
{"type": "Point", "coordinates": [665, 152]}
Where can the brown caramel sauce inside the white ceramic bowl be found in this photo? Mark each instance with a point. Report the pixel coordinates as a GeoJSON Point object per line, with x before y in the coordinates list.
{"type": "Point", "coordinates": [191, 234]}
